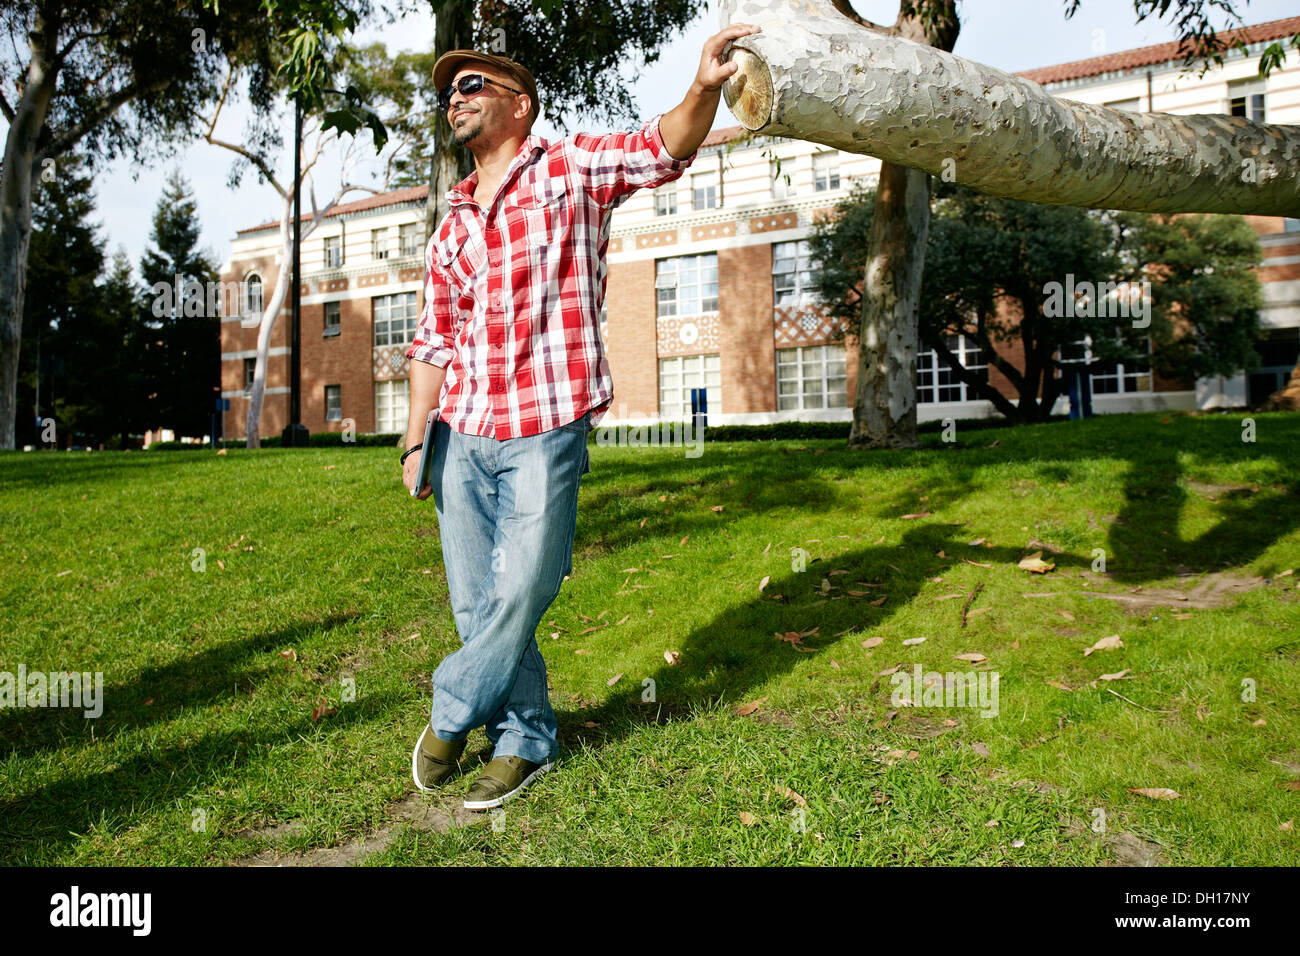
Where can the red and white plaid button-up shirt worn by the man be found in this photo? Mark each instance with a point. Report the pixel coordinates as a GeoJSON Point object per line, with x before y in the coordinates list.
{"type": "Point", "coordinates": [513, 293]}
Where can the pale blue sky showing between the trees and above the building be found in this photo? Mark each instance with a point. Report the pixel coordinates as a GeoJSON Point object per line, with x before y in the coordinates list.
{"type": "Point", "coordinates": [1009, 34]}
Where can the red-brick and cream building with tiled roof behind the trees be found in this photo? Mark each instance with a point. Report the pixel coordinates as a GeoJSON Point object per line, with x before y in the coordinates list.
{"type": "Point", "coordinates": [709, 280]}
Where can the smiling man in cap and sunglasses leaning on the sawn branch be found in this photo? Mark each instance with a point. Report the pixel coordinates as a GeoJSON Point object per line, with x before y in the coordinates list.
{"type": "Point", "coordinates": [509, 352]}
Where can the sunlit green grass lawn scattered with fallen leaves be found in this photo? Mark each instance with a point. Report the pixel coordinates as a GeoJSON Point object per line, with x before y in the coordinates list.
{"type": "Point", "coordinates": [229, 732]}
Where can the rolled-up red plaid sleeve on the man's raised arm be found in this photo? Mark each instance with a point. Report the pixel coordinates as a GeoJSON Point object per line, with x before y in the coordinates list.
{"type": "Point", "coordinates": [616, 165]}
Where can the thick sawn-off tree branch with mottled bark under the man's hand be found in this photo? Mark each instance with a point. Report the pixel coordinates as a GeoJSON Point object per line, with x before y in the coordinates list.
{"type": "Point", "coordinates": [816, 75]}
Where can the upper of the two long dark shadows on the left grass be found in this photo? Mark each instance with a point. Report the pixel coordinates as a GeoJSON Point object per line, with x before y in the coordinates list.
{"type": "Point", "coordinates": [198, 681]}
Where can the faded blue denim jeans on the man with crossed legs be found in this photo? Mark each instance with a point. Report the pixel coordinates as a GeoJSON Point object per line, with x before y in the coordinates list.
{"type": "Point", "coordinates": [506, 516]}
